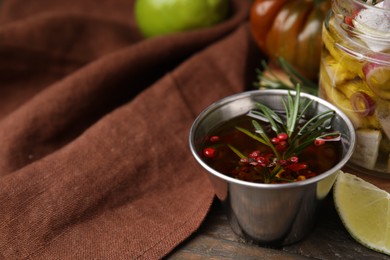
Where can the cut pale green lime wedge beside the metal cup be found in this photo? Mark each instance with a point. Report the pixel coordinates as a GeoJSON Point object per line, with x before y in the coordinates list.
{"type": "Point", "coordinates": [365, 211]}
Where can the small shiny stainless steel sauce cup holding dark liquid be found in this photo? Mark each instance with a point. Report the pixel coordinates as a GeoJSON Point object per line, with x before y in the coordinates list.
{"type": "Point", "coordinates": [269, 214]}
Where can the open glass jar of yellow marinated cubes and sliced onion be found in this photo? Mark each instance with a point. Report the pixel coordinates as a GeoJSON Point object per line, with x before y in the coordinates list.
{"type": "Point", "coordinates": [355, 76]}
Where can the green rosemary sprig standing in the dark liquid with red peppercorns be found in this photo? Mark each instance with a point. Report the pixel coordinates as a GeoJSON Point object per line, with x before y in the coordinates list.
{"type": "Point", "coordinates": [299, 135]}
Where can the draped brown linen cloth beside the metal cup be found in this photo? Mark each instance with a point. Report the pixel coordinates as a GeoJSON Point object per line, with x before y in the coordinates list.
{"type": "Point", "coordinates": [94, 123]}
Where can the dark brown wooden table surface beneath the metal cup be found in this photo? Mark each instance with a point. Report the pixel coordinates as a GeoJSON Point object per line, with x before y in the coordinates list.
{"type": "Point", "coordinates": [329, 239]}
